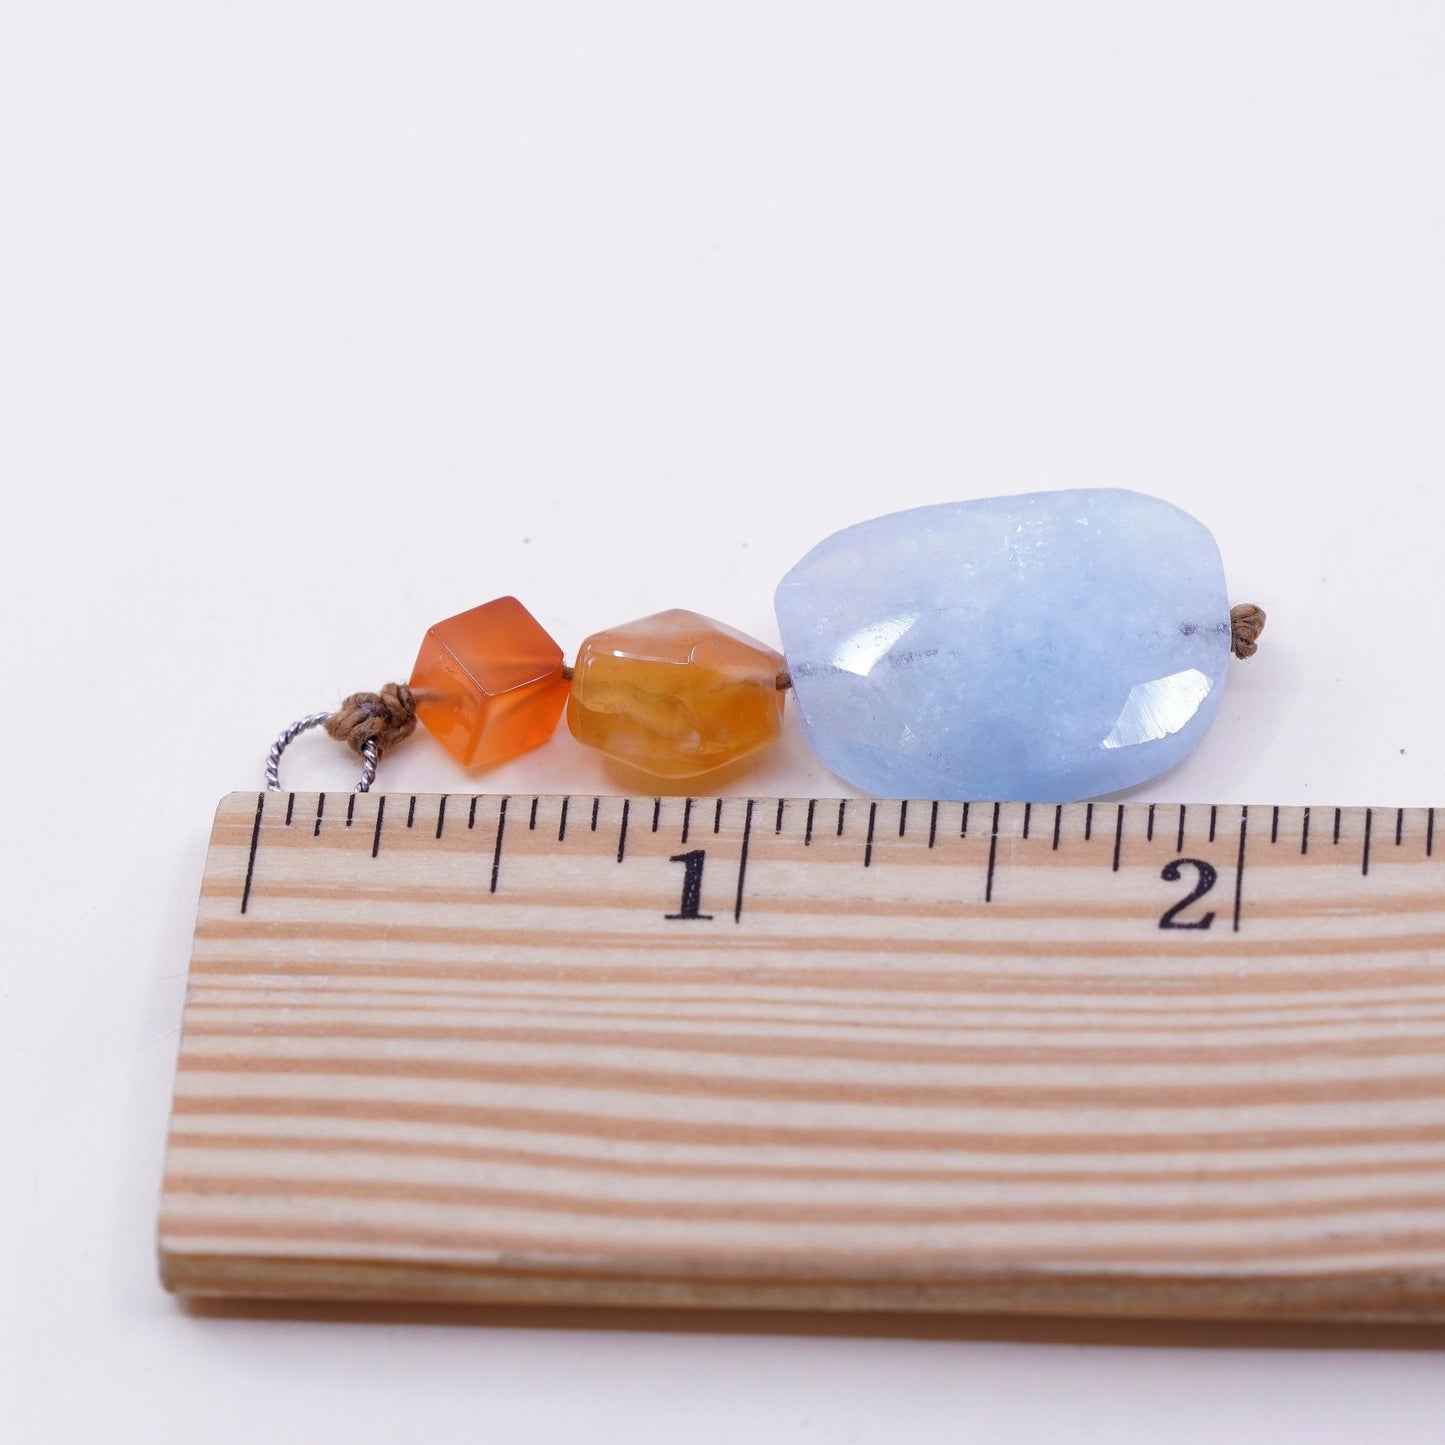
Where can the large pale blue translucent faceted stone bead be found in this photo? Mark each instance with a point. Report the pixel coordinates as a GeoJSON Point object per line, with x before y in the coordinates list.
{"type": "Point", "coordinates": [1048, 648]}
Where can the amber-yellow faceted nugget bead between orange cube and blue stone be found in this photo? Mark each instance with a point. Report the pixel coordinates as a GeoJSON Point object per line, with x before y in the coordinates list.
{"type": "Point", "coordinates": [676, 694]}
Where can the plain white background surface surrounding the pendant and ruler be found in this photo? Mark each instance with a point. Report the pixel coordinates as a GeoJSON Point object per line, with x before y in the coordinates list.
{"type": "Point", "coordinates": [320, 323]}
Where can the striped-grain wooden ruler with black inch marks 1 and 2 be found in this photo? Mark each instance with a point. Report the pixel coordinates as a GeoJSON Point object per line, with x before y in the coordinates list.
{"type": "Point", "coordinates": [814, 1054]}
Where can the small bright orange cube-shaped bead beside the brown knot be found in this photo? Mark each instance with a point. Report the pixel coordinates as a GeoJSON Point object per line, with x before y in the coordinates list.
{"type": "Point", "coordinates": [489, 684]}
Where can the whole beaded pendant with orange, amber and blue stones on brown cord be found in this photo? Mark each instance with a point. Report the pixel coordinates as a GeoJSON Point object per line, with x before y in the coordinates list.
{"type": "Point", "coordinates": [1043, 648]}
